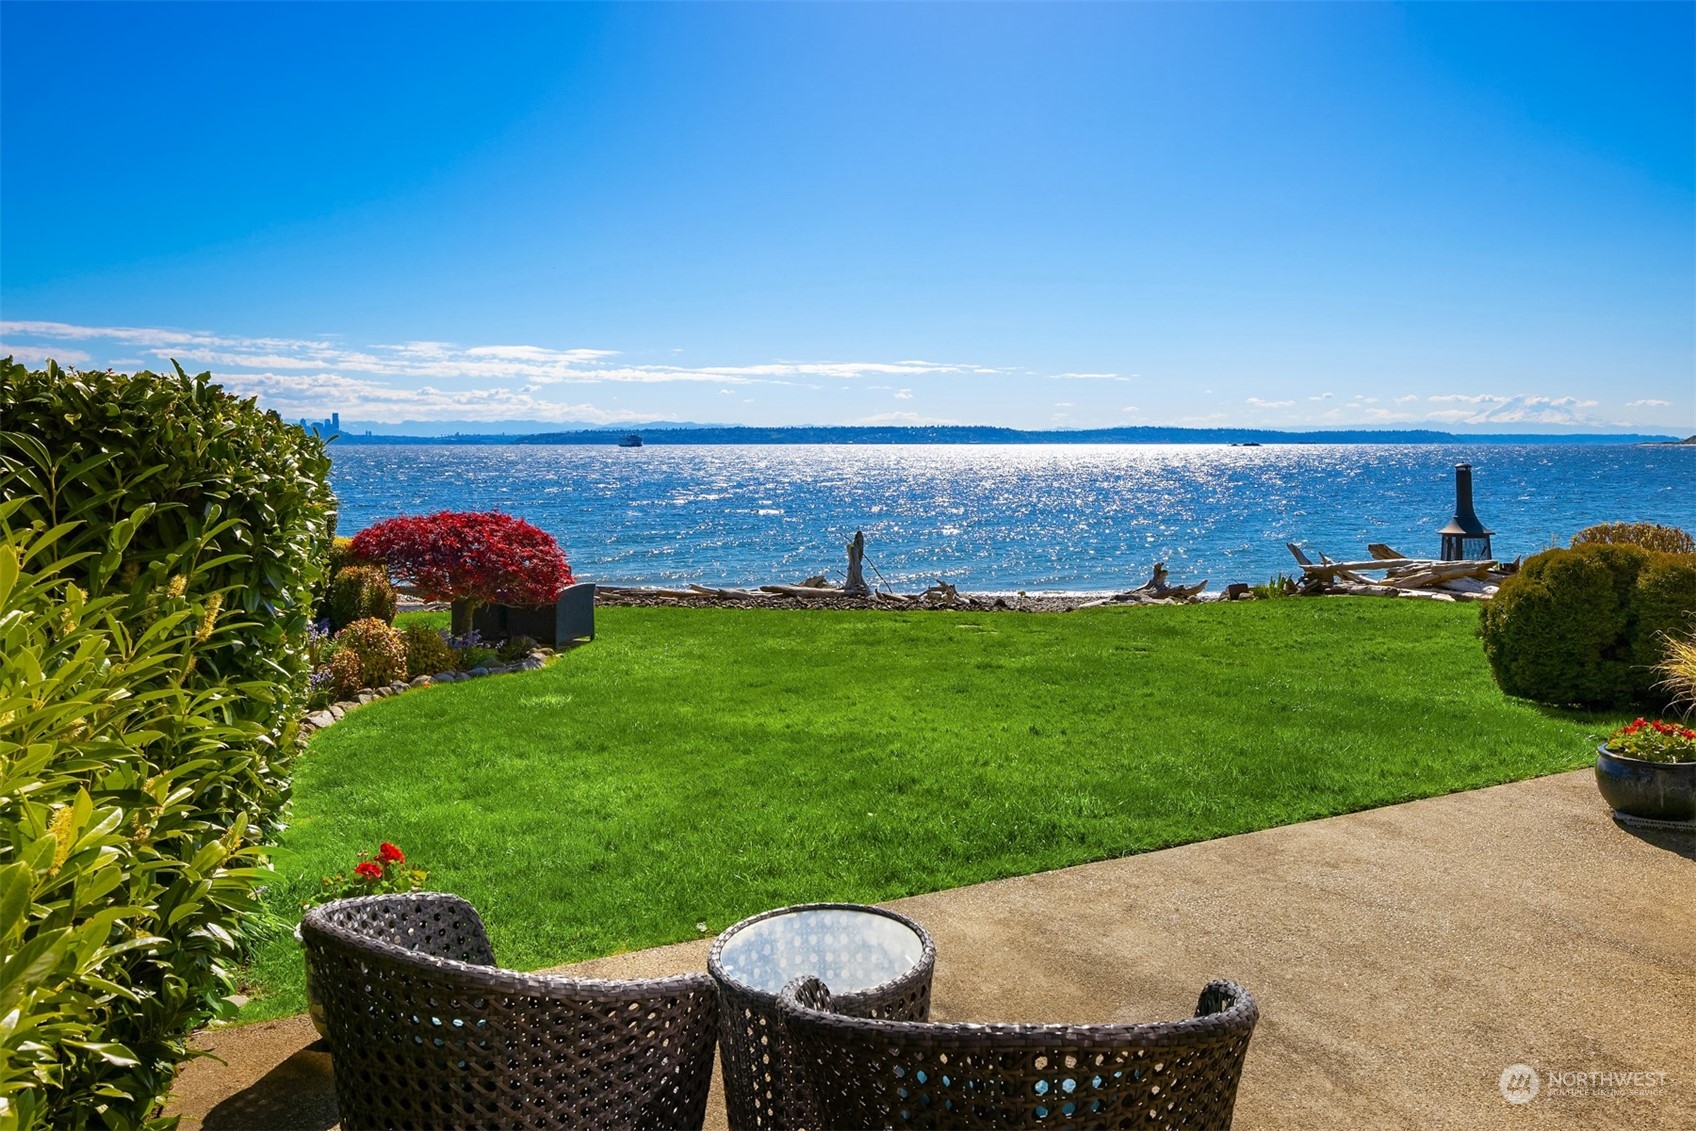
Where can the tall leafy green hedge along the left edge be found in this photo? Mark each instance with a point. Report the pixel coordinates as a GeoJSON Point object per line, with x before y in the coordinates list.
{"type": "Point", "coordinates": [160, 547]}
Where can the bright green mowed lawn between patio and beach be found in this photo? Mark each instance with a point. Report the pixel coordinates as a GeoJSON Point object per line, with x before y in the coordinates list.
{"type": "Point", "coordinates": [698, 766]}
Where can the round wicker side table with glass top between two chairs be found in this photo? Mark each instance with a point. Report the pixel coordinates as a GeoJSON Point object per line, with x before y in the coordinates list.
{"type": "Point", "coordinates": [878, 964]}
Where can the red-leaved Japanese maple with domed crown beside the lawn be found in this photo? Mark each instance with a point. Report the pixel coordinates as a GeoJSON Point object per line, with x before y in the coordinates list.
{"type": "Point", "coordinates": [471, 559]}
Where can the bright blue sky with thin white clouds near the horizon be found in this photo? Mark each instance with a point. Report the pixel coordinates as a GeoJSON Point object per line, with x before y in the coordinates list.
{"type": "Point", "coordinates": [1271, 214]}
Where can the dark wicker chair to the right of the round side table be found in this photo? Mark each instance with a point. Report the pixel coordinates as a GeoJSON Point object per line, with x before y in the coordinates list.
{"type": "Point", "coordinates": [905, 1074]}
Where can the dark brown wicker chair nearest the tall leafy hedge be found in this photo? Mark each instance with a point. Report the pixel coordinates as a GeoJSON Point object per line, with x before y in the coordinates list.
{"type": "Point", "coordinates": [425, 1032]}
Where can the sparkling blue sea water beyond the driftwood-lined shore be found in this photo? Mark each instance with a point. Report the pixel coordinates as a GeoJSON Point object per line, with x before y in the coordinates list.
{"type": "Point", "coordinates": [1010, 518]}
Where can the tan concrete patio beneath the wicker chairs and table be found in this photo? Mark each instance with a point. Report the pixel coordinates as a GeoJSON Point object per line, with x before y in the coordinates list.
{"type": "Point", "coordinates": [1403, 961]}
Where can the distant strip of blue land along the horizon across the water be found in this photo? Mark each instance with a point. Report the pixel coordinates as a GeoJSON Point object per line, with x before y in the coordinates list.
{"type": "Point", "coordinates": [686, 433]}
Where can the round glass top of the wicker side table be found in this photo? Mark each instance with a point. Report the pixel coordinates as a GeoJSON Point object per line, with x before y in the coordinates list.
{"type": "Point", "coordinates": [845, 949]}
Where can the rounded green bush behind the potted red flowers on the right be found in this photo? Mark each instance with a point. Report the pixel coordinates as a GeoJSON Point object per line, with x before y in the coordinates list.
{"type": "Point", "coordinates": [1588, 625]}
